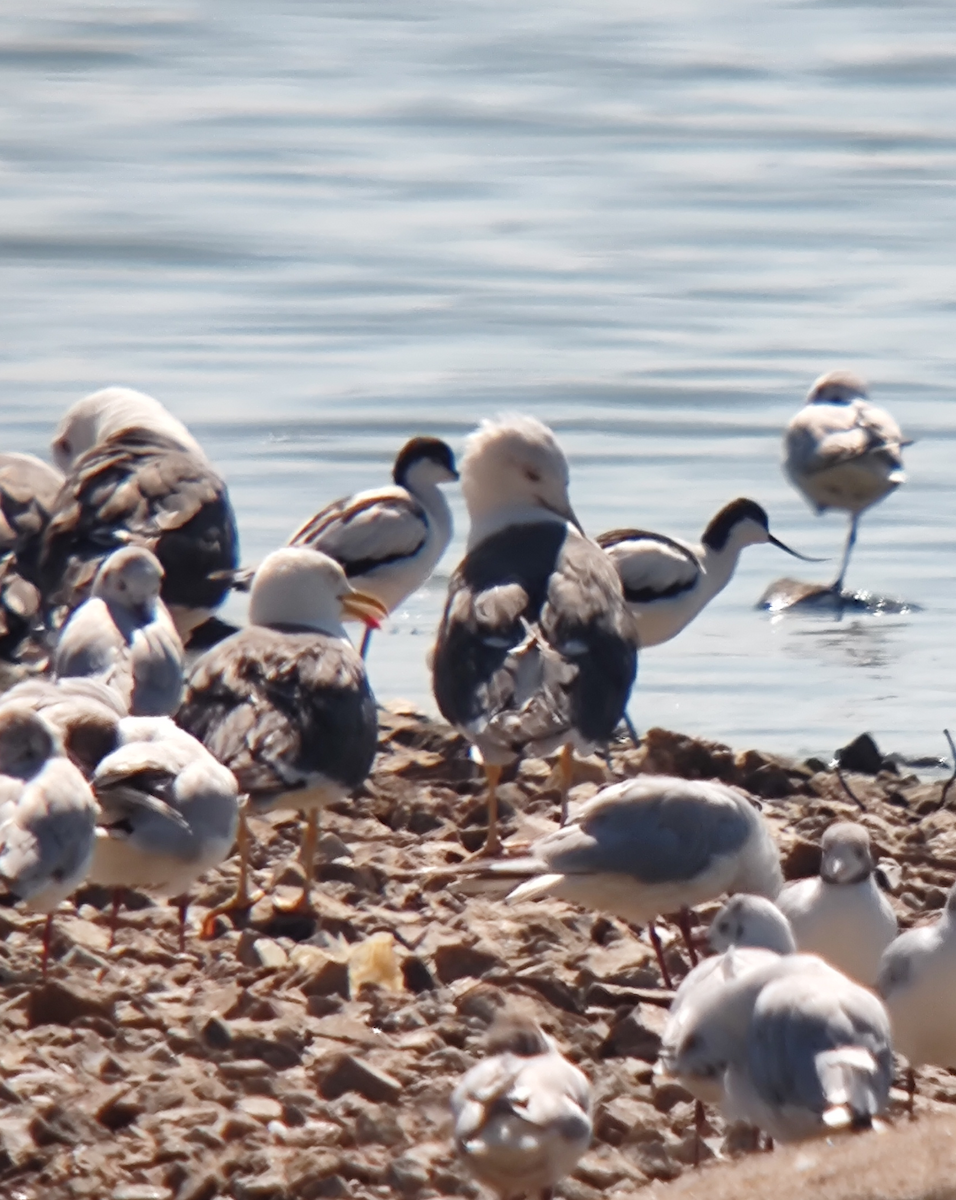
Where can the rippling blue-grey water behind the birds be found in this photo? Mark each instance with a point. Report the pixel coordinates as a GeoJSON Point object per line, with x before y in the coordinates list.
{"type": "Point", "coordinates": [316, 229]}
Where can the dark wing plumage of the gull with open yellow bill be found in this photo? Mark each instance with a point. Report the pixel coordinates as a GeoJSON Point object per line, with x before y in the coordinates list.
{"type": "Point", "coordinates": [279, 707]}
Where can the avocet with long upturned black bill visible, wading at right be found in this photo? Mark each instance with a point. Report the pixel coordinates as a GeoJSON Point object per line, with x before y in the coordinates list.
{"type": "Point", "coordinates": [669, 583]}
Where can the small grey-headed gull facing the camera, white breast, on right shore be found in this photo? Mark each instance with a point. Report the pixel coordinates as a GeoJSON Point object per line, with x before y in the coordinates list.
{"type": "Point", "coordinates": [843, 916]}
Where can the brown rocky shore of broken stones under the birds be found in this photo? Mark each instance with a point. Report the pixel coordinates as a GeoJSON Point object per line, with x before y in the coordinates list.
{"type": "Point", "coordinates": [293, 1058]}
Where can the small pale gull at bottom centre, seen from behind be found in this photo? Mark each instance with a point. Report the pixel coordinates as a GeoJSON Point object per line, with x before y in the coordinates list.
{"type": "Point", "coordinates": [522, 1115]}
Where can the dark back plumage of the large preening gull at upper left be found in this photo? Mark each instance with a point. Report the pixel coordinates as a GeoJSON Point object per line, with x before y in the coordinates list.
{"type": "Point", "coordinates": [141, 488]}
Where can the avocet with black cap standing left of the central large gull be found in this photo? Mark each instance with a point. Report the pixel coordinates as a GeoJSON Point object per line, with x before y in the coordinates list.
{"type": "Point", "coordinates": [389, 541]}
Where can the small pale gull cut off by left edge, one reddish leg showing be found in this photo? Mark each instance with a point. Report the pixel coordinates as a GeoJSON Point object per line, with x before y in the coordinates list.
{"type": "Point", "coordinates": [47, 818]}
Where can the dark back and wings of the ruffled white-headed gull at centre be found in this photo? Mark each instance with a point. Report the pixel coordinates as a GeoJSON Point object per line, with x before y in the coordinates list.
{"type": "Point", "coordinates": [537, 581]}
